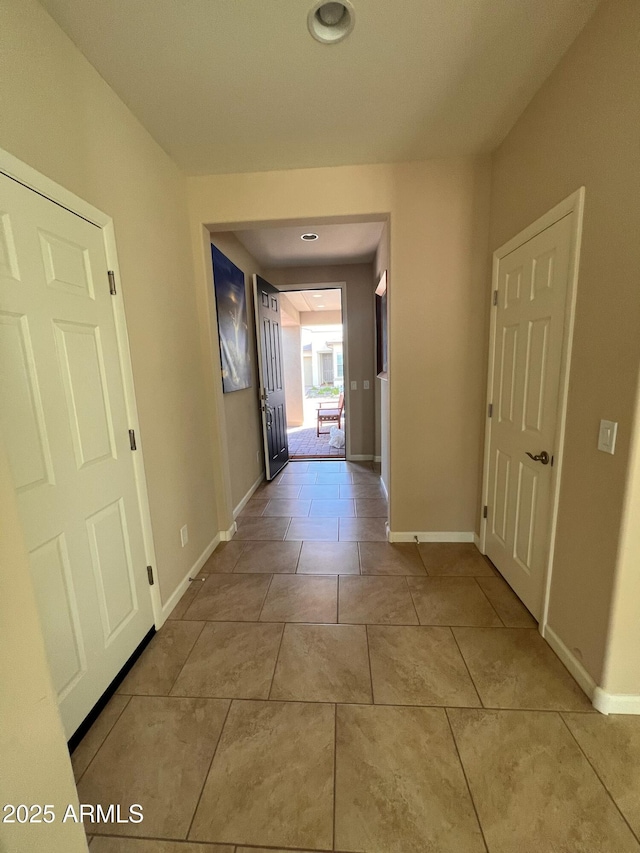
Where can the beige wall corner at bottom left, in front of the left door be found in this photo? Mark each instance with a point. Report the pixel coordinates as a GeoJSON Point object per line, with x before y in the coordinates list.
{"type": "Point", "coordinates": [35, 761]}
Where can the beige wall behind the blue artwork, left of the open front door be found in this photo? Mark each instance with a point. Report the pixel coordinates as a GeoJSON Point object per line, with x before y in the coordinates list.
{"type": "Point", "coordinates": [244, 453]}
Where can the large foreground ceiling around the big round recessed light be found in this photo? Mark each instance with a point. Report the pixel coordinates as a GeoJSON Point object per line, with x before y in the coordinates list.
{"type": "Point", "coordinates": [240, 85]}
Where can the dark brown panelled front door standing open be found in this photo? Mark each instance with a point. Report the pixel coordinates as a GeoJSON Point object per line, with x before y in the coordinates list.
{"type": "Point", "coordinates": [271, 374]}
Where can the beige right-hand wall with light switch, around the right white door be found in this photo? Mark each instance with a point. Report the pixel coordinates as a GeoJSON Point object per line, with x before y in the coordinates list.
{"type": "Point", "coordinates": [582, 129]}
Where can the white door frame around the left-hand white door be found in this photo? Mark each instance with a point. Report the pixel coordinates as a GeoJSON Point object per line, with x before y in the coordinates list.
{"type": "Point", "coordinates": [14, 168]}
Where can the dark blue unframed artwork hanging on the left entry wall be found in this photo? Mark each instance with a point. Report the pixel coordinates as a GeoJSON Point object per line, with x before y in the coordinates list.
{"type": "Point", "coordinates": [233, 332]}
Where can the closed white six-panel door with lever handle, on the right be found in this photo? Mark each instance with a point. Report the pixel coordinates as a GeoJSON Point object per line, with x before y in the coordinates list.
{"type": "Point", "coordinates": [532, 285]}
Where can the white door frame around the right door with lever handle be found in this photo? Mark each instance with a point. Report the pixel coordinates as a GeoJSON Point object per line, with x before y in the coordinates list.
{"type": "Point", "coordinates": [572, 205]}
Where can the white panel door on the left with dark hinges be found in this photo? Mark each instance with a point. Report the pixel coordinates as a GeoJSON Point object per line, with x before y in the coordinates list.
{"type": "Point", "coordinates": [64, 421]}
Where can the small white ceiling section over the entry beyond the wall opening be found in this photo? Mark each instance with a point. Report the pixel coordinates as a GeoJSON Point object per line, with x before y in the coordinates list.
{"type": "Point", "coordinates": [350, 243]}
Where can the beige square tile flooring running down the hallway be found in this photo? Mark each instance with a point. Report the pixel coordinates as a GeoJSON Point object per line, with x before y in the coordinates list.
{"type": "Point", "coordinates": [324, 690]}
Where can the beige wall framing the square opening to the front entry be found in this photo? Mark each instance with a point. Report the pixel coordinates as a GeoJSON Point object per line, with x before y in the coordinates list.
{"type": "Point", "coordinates": [438, 212]}
